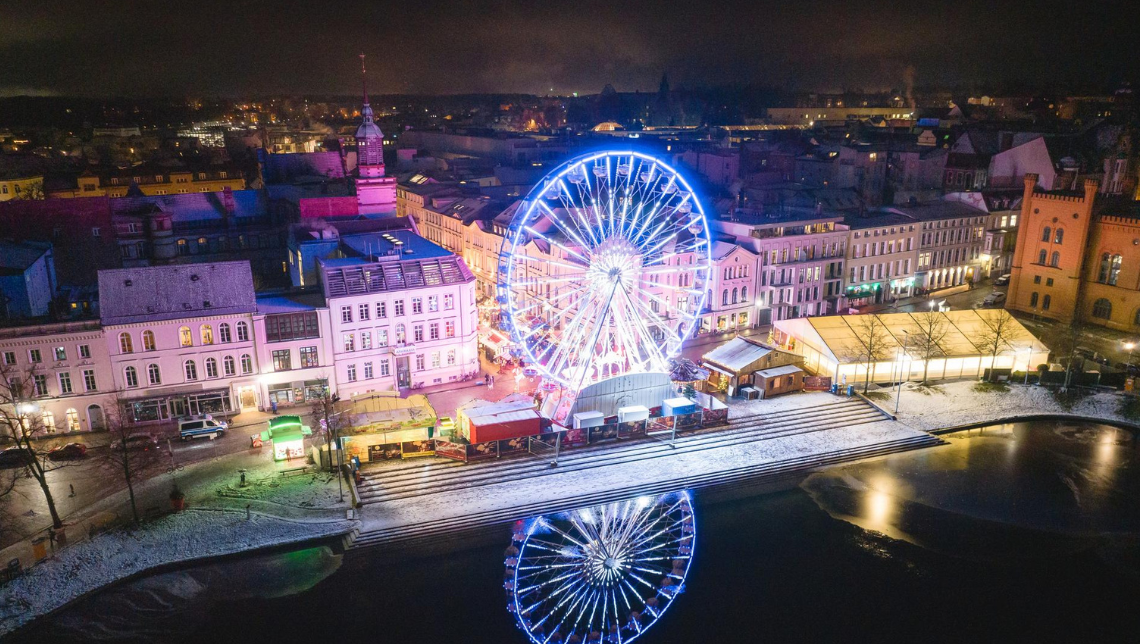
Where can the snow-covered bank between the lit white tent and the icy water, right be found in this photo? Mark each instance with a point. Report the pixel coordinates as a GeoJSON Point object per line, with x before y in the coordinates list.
{"type": "Point", "coordinates": [958, 404]}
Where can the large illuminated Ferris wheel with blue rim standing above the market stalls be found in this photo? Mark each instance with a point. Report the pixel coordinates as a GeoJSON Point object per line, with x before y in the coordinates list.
{"type": "Point", "coordinates": [604, 270]}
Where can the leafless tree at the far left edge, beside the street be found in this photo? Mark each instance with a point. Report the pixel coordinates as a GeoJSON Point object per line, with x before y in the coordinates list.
{"type": "Point", "coordinates": [22, 422]}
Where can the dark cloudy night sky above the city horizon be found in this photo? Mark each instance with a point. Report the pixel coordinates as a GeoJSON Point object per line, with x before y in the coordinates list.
{"type": "Point", "coordinates": [251, 47]}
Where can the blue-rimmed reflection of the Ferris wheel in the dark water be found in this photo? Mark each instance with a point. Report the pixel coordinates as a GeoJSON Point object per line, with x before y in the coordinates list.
{"type": "Point", "coordinates": [604, 574]}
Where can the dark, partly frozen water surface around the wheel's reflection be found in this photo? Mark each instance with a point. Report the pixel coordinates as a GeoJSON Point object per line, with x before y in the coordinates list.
{"type": "Point", "coordinates": [1027, 533]}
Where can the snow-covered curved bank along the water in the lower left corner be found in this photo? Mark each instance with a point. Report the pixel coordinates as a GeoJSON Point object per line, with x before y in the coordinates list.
{"type": "Point", "coordinates": [118, 555]}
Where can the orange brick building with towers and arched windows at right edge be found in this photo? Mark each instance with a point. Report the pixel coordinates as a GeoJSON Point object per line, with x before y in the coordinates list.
{"type": "Point", "coordinates": [1078, 257]}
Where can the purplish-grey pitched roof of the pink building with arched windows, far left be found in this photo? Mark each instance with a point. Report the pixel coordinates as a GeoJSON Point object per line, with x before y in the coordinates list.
{"type": "Point", "coordinates": [132, 296]}
